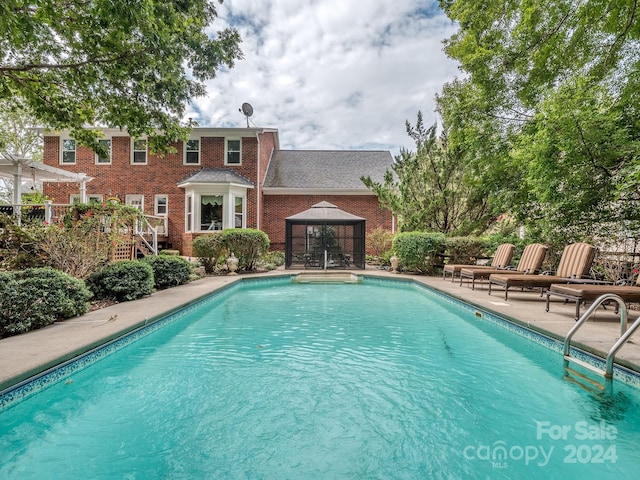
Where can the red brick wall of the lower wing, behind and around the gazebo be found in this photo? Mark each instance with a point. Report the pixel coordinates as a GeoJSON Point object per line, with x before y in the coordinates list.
{"type": "Point", "coordinates": [278, 207]}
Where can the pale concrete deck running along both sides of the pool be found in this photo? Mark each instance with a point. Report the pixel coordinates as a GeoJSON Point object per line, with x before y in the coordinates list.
{"type": "Point", "coordinates": [25, 355]}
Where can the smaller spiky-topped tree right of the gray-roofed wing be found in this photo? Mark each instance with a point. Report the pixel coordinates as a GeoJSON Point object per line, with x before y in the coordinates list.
{"type": "Point", "coordinates": [428, 190]}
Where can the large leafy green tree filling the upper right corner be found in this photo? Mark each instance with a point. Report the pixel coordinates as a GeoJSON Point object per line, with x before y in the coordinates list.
{"type": "Point", "coordinates": [554, 84]}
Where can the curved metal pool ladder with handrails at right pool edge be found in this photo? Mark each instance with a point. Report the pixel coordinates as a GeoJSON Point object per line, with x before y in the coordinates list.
{"type": "Point", "coordinates": [624, 335]}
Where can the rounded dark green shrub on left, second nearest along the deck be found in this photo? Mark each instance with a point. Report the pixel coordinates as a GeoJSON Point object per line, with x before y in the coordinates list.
{"type": "Point", "coordinates": [122, 281]}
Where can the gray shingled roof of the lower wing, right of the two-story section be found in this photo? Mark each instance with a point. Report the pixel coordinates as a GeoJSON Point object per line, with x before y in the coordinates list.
{"type": "Point", "coordinates": [326, 169]}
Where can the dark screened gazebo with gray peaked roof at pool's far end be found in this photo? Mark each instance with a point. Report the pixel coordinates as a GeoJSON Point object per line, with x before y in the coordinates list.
{"type": "Point", "coordinates": [325, 237]}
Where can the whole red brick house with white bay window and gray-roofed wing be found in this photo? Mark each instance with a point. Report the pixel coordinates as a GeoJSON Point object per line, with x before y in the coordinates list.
{"type": "Point", "coordinates": [219, 178]}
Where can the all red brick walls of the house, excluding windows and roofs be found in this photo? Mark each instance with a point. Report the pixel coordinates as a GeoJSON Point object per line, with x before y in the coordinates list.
{"type": "Point", "coordinates": [161, 174]}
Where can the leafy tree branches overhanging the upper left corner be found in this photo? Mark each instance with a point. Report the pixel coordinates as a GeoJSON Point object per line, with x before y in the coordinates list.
{"type": "Point", "coordinates": [123, 63]}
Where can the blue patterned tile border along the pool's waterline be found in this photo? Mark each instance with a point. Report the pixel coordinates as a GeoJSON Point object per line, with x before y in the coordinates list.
{"type": "Point", "coordinates": [33, 385]}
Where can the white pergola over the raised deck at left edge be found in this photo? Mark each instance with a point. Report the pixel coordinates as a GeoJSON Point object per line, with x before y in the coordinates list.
{"type": "Point", "coordinates": [21, 170]}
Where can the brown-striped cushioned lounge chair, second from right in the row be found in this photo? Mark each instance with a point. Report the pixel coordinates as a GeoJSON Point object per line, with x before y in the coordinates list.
{"type": "Point", "coordinates": [574, 265]}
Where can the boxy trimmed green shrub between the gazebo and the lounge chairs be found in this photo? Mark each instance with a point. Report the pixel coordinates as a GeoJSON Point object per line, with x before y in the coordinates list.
{"type": "Point", "coordinates": [418, 251]}
